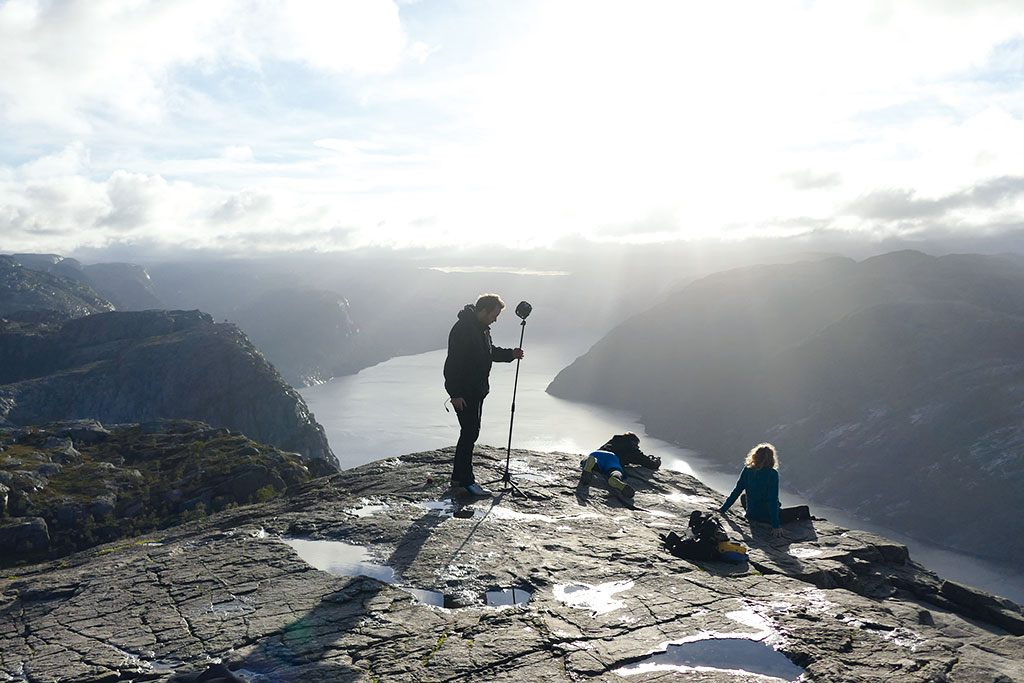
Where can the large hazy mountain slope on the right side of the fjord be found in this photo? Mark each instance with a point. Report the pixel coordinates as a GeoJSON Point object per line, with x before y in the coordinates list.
{"type": "Point", "coordinates": [894, 388]}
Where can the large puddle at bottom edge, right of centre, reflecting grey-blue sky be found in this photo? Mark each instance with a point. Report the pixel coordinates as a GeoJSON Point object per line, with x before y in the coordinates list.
{"type": "Point", "coordinates": [738, 657]}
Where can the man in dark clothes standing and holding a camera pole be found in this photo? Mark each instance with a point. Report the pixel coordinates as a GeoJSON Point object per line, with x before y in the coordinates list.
{"type": "Point", "coordinates": [466, 371]}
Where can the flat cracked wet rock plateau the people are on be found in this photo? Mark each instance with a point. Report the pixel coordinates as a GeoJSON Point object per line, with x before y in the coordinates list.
{"type": "Point", "coordinates": [419, 589]}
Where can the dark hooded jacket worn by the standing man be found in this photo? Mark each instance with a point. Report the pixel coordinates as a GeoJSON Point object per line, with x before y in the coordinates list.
{"type": "Point", "coordinates": [471, 355]}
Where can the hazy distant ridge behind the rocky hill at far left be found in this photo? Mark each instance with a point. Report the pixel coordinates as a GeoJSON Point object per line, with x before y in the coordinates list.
{"type": "Point", "coordinates": [126, 286]}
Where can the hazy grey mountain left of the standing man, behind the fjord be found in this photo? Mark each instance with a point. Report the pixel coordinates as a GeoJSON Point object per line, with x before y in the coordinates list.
{"type": "Point", "coordinates": [309, 335]}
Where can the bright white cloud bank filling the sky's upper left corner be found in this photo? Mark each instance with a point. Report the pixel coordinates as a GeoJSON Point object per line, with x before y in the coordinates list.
{"type": "Point", "coordinates": [65, 61]}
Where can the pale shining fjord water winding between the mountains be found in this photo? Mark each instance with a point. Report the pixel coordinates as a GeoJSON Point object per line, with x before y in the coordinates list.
{"type": "Point", "coordinates": [399, 407]}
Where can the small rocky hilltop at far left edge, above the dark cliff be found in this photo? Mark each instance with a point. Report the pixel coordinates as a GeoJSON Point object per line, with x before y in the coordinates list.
{"type": "Point", "coordinates": [23, 289]}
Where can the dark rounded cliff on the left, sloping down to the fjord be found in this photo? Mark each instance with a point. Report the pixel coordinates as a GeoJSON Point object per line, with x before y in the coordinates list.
{"type": "Point", "coordinates": [140, 367]}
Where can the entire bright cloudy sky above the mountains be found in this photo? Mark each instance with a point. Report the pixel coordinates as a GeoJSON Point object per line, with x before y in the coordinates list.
{"type": "Point", "coordinates": [259, 126]}
